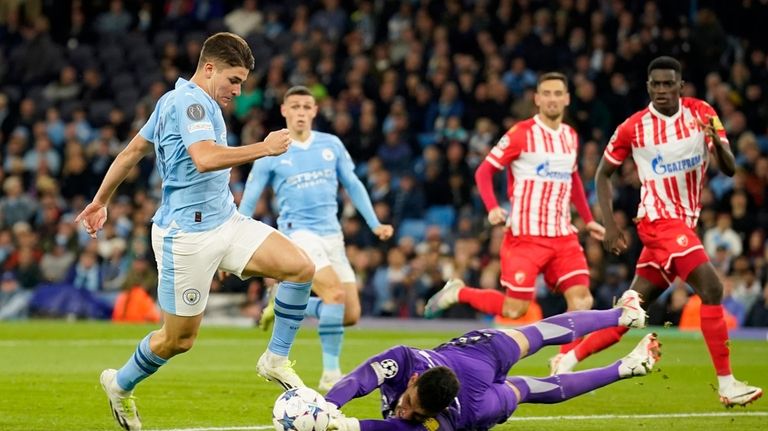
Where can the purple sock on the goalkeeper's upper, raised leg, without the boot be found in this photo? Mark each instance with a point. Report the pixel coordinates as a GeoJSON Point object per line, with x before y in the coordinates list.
{"type": "Point", "coordinates": [564, 328]}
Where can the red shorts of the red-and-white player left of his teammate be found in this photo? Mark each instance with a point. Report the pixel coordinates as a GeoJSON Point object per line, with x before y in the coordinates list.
{"type": "Point", "coordinates": [561, 259]}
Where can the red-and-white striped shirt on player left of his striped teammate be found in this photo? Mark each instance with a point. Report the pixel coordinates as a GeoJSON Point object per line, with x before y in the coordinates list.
{"type": "Point", "coordinates": [542, 162]}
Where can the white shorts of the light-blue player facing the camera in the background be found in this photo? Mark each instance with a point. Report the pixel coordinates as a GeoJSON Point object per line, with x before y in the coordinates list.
{"type": "Point", "coordinates": [326, 251]}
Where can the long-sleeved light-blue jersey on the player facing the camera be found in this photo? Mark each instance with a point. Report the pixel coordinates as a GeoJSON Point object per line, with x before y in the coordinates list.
{"type": "Point", "coordinates": [306, 182]}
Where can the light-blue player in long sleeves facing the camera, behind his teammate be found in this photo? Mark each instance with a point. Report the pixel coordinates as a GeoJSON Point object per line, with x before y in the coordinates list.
{"type": "Point", "coordinates": [306, 182]}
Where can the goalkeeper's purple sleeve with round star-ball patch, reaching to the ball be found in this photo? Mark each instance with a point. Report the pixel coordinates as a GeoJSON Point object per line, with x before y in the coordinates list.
{"type": "Point", "coordinates": [388, 366]}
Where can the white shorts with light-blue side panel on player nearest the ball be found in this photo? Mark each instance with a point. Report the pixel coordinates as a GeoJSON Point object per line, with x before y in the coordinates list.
{"type": "Point", "coordinates": [187, 261]}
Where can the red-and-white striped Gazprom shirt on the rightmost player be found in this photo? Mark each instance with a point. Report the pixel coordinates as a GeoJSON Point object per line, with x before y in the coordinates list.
{"type": "Point", "coordinates": [671, 154]}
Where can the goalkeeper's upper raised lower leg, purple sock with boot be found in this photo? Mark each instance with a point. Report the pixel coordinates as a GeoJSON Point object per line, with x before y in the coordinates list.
{"type": "Point", "coordinates": [564, 328]}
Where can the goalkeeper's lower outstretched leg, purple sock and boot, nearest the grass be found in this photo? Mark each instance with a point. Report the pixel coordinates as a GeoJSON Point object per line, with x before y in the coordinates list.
{"type": "Point", "coordinates": [558, 388]}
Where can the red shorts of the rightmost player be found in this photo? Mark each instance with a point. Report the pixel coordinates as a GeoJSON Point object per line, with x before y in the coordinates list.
{"type": "Point", "coordinates": [670, 249]}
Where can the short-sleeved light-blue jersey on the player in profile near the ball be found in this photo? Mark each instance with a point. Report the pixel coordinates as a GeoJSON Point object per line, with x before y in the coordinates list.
{"type": "Point", "coordinates": [195, 201]}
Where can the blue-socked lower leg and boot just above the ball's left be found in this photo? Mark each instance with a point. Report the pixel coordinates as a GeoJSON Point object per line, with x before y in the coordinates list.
{"type": "Point", "coordinates": [290, 302]}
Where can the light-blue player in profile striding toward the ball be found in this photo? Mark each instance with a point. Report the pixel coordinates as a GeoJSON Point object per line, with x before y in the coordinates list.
{"type": "Point", "coordinates": [197, 229]}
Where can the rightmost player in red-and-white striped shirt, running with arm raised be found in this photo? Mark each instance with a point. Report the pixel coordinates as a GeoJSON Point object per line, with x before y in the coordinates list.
{"type": "Point", "coordinates": [670, 142]}
